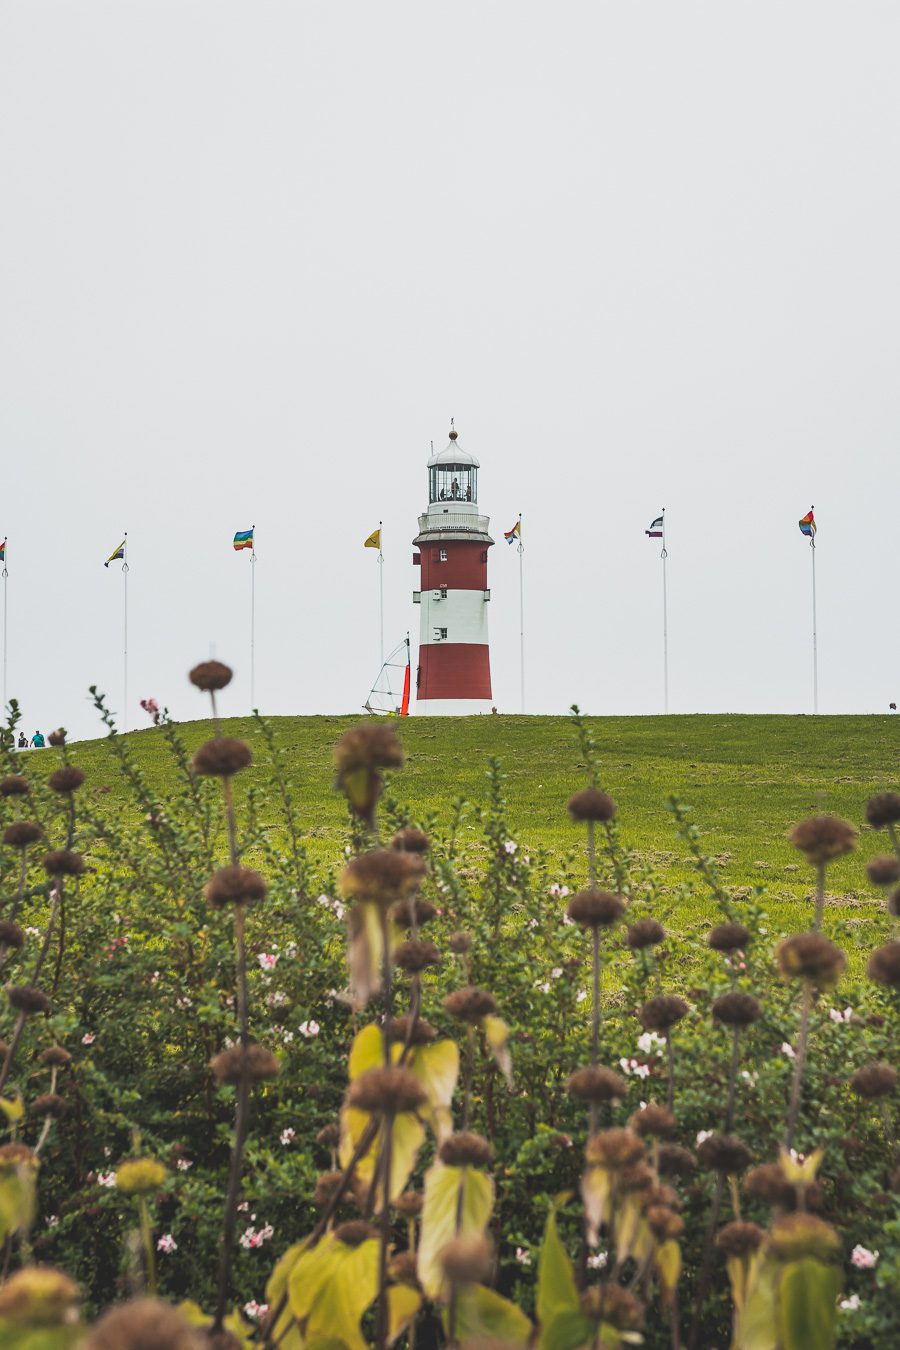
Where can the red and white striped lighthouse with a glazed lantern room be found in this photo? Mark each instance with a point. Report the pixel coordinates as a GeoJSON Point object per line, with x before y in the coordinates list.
{"type": "Point", "coordinates": [454, 664]}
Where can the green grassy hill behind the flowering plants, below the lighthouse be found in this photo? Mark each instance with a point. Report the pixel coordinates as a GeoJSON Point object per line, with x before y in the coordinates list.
{"type": "Point", "coordinates": [748, 780]}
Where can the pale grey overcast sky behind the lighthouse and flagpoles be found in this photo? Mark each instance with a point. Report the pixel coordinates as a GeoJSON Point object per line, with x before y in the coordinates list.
{"type": "Point", "coordinates": [256, 256]}
